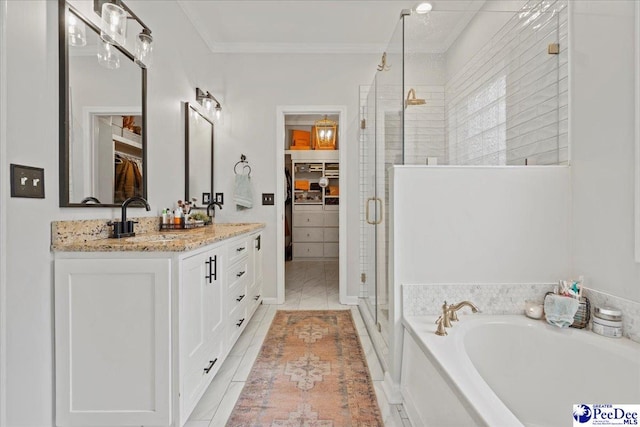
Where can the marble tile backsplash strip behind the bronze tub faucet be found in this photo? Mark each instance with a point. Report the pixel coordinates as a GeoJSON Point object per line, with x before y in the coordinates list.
{"type": "Point", "coordinates": [422, 300]}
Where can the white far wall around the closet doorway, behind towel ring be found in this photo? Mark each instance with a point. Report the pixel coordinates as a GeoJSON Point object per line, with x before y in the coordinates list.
{"type": "Point", "coordinates": [254, 85]}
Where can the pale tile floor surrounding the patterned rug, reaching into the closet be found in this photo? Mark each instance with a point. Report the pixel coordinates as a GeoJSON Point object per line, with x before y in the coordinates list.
{"type": "Point", "coordinates": [309, 285]}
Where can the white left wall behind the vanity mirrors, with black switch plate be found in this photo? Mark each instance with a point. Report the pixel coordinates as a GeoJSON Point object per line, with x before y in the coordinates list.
{"type": "Point", "coordinates": [32, 139]}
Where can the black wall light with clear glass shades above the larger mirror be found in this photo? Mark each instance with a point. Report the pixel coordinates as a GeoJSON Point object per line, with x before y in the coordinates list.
{"type": "Point", "coordinates": [114, 29]}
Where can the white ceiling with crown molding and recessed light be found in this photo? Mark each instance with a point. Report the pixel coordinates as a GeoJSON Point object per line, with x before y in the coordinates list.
{"type": "Point", "coordinates": [314, 26]}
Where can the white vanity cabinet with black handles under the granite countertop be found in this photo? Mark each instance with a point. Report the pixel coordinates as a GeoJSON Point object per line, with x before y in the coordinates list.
{"type": "Point", "coordinates": [140, 335]}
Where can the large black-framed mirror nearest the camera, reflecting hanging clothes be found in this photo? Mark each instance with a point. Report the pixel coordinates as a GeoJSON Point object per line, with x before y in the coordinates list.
{"type": "Point", "coordinates": [103, 146]}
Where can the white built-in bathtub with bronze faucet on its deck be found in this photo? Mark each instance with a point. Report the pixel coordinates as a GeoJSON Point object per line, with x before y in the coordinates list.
{"type": "Point", "coordinates": [507, 371]}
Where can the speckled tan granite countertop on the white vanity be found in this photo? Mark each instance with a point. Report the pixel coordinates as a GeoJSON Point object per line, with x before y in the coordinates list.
{"type": "Point", "coordinates": [93, 236]}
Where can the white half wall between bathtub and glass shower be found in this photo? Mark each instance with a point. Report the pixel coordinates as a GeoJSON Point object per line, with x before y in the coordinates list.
{"type": "Point", "coordinates": [457, 224]}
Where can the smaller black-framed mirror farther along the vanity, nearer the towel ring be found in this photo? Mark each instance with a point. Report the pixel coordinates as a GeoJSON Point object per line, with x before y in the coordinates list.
{"type": "Point", "coordinates": [198, 156]}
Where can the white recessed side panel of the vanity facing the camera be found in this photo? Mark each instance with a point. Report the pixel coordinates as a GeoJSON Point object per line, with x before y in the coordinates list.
{"type": "Point", "coordinates": [113, 342]}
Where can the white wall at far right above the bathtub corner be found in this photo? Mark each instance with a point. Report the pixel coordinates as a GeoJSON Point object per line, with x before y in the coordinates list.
{"type": "Point", "coordinates": [602, 119]}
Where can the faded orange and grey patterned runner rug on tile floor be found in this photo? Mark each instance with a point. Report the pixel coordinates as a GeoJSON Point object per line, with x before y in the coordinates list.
{"type": "Point", "coordinates": [311, 372]}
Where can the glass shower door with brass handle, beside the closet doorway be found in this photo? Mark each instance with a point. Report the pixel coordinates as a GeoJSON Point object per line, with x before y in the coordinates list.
{"type": "Point", "coordinates": [381, 148]}
